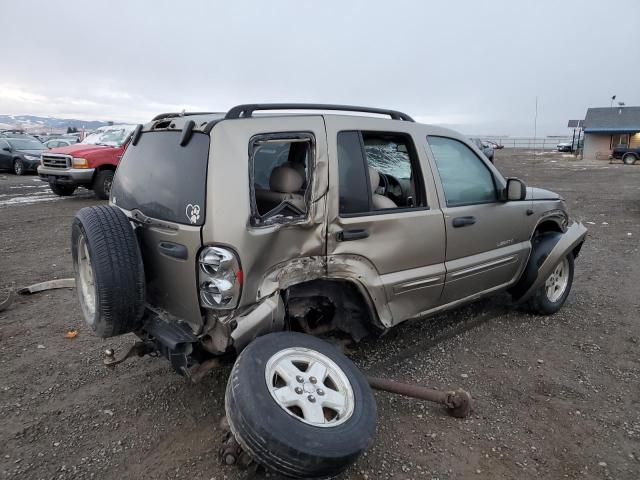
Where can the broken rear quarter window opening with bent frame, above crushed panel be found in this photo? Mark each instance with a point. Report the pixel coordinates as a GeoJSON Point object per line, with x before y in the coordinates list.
{"type": "Point", "coordinates": [280, 174]}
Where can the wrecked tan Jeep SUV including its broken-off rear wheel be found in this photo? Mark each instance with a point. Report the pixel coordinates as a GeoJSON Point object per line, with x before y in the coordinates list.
{"type": "Point", "coordinates": [225, 227]}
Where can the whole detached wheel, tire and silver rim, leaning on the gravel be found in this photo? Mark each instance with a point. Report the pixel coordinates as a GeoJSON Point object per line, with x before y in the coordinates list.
{"type": "Point", "coordinates": [299, 407]}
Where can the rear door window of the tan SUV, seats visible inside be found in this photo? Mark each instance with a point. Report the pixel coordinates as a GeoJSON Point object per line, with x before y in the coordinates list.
{"type": "Point", "coordinates": [377, 171]}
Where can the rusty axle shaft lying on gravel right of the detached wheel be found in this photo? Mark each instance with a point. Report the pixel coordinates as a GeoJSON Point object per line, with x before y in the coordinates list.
{"type": "Point", "coordinates": [458, 402]}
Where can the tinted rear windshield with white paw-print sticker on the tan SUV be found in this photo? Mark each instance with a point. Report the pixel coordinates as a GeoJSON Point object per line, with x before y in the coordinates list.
{"type": "Point", "coordinates": [162, 179]}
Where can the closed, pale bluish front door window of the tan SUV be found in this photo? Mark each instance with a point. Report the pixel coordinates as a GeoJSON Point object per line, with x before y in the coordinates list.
{"type": "Point", "coordinates": [465, 178]}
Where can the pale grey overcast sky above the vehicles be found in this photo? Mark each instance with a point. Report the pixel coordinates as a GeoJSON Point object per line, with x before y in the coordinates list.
{"type": "Point", "coordinates": [475, 65]}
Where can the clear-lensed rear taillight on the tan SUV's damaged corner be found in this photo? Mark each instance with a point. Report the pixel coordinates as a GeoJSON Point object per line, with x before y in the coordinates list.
{"type": "Point", "coordinates": [219, 278]}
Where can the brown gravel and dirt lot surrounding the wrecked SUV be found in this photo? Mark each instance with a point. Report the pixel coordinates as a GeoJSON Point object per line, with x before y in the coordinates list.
{"type": "Point", "coordinates": [556, 397]}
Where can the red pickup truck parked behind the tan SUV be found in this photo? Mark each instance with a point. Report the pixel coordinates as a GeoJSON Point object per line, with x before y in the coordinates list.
{"type": "Point", "coordinates": [90, 164]}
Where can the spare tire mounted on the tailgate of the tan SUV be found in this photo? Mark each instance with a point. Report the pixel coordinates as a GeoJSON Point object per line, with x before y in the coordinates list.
{"type": "Point", "coordinates": [108, 270]}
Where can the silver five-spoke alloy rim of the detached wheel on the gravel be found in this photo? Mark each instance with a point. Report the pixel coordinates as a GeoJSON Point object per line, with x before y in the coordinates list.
{"type": "Point", "coordinates": [310, 387]}
